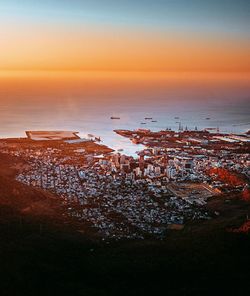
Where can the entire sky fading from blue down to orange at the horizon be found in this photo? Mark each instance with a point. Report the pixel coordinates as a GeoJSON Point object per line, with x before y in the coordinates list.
{"type": "Point", "coordinates": [139, 35]}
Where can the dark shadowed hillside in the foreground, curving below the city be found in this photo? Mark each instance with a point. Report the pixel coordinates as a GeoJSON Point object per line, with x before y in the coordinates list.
{"type": "Point", "coordinates": [43, 252]}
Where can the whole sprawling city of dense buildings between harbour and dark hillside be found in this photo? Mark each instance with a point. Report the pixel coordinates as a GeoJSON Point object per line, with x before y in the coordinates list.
{"type": "Point", "coordinates": [126, 197]}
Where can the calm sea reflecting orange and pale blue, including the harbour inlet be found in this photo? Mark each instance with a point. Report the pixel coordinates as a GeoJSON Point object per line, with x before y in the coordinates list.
{"type": "Point", "coordinates": [86, 106]}
